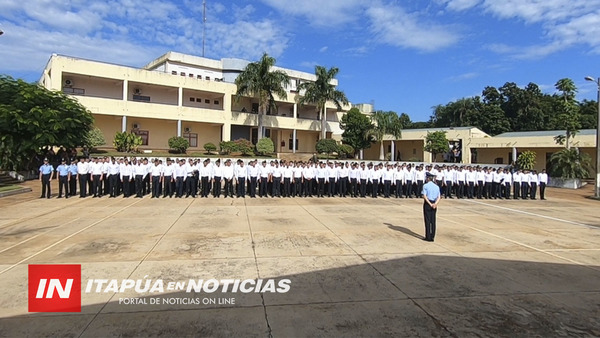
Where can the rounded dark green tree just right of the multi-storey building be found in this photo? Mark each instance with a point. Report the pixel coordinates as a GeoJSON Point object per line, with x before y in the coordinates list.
{"type": "Point", "coordinates": [356, 127]}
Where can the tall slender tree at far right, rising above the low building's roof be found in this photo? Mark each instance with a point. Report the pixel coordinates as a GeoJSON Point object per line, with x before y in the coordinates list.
{"type": "Point", "coordinates": [569, 110]}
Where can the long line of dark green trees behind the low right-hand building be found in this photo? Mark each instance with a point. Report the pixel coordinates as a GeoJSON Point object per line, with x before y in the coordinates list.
{"type": "Point", "coordinates": [511, 108]}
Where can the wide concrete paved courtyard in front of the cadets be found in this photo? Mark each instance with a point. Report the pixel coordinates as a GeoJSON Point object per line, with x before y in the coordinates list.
{"type": "Point", "coordinates": [358, 267]}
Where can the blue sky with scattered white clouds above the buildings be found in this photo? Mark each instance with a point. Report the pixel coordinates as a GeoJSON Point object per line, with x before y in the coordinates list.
{"type": "Point", "coordinates": [406, 56]}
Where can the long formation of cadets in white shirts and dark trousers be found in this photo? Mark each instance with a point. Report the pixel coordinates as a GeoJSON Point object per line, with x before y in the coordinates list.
{"type": "Point", "coordinates": [191, 177]}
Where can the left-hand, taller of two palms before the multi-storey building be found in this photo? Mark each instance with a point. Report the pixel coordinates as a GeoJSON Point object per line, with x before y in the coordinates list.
{"type": "Point", "coordinates": [258, 80]}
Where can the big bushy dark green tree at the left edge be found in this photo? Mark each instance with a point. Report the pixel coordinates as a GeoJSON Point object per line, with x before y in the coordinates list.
{"type": "Point", "coordinates": [33, 117]}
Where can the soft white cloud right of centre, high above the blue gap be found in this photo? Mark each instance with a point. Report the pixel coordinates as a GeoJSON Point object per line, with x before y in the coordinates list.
{"type": "Point", "coordinates": [393, 26]}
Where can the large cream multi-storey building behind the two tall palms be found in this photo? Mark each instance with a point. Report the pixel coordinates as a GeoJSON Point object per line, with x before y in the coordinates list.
{"type": "Point", "coordinates": [187, 96]}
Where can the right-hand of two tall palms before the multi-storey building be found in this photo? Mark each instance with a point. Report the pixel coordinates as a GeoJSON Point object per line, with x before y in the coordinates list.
{"type": "Point", "coordinates": [322, 91]}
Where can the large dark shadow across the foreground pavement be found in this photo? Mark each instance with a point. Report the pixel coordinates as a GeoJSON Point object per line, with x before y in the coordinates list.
{"type": "Point", "coordinates": [423, 295]}
